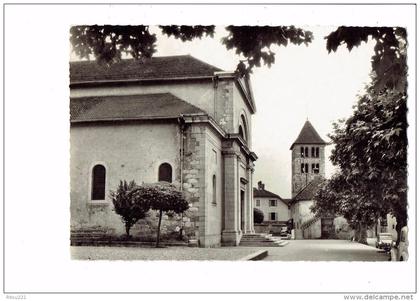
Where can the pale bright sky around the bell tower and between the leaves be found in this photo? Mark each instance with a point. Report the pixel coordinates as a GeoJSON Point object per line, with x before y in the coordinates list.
{"type": "Point", "coordinates": [305, 82]}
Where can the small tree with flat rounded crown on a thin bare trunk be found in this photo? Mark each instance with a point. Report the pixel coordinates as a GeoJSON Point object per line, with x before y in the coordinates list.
{"type": "Point", "coordinates": [164, 197]}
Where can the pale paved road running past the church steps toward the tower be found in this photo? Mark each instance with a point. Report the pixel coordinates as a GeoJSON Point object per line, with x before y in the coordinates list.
{"type": "Point", "coordinates": [326, 250]}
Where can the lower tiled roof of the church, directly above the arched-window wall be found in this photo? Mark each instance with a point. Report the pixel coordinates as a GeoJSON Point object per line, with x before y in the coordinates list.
{"type": "Point", "coordinates": [129, 107]}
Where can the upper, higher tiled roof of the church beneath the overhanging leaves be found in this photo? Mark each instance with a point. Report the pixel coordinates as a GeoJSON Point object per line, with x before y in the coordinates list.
{"type": "Point", "coordinates": [163, 67]}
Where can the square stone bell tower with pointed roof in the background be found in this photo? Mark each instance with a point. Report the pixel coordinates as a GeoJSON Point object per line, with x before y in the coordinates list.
{"type": "Point", "coordinates": [308, 158]}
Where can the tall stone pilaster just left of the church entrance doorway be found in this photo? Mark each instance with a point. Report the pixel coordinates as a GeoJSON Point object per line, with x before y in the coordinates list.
{"type": "Point", "coordinates": [231, 233]}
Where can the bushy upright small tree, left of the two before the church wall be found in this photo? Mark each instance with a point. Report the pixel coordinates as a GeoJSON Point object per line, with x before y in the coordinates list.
{"type": "Point", "coordinates": [129, 203]}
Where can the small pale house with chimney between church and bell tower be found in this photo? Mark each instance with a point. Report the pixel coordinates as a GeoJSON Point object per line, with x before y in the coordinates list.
{"type": "Point", "coordinates": [274, 208]}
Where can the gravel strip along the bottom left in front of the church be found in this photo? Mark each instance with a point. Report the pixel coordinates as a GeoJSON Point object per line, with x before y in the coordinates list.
{"type": "Point", "coordinates": [169, 253]}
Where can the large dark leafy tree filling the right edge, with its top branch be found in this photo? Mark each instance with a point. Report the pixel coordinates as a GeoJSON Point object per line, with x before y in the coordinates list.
{"type": "Point", "coordinates": [371, 146]}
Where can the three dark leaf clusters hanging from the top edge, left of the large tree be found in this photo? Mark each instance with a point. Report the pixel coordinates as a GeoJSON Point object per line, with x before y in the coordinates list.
{"type": "Point", "coordinates": [253, 43]}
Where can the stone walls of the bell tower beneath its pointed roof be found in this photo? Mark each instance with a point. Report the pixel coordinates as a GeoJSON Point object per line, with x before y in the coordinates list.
{"type": "Point", "coordinates": [300, 180]}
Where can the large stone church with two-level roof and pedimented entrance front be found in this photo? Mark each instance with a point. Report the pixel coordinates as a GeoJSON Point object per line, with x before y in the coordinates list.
{"type": "Point", "coordinates": [174, 119]}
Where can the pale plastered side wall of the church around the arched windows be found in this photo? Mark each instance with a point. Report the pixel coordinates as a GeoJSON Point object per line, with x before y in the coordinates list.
{"type": "Point", "coordinates": [129, 152]}
